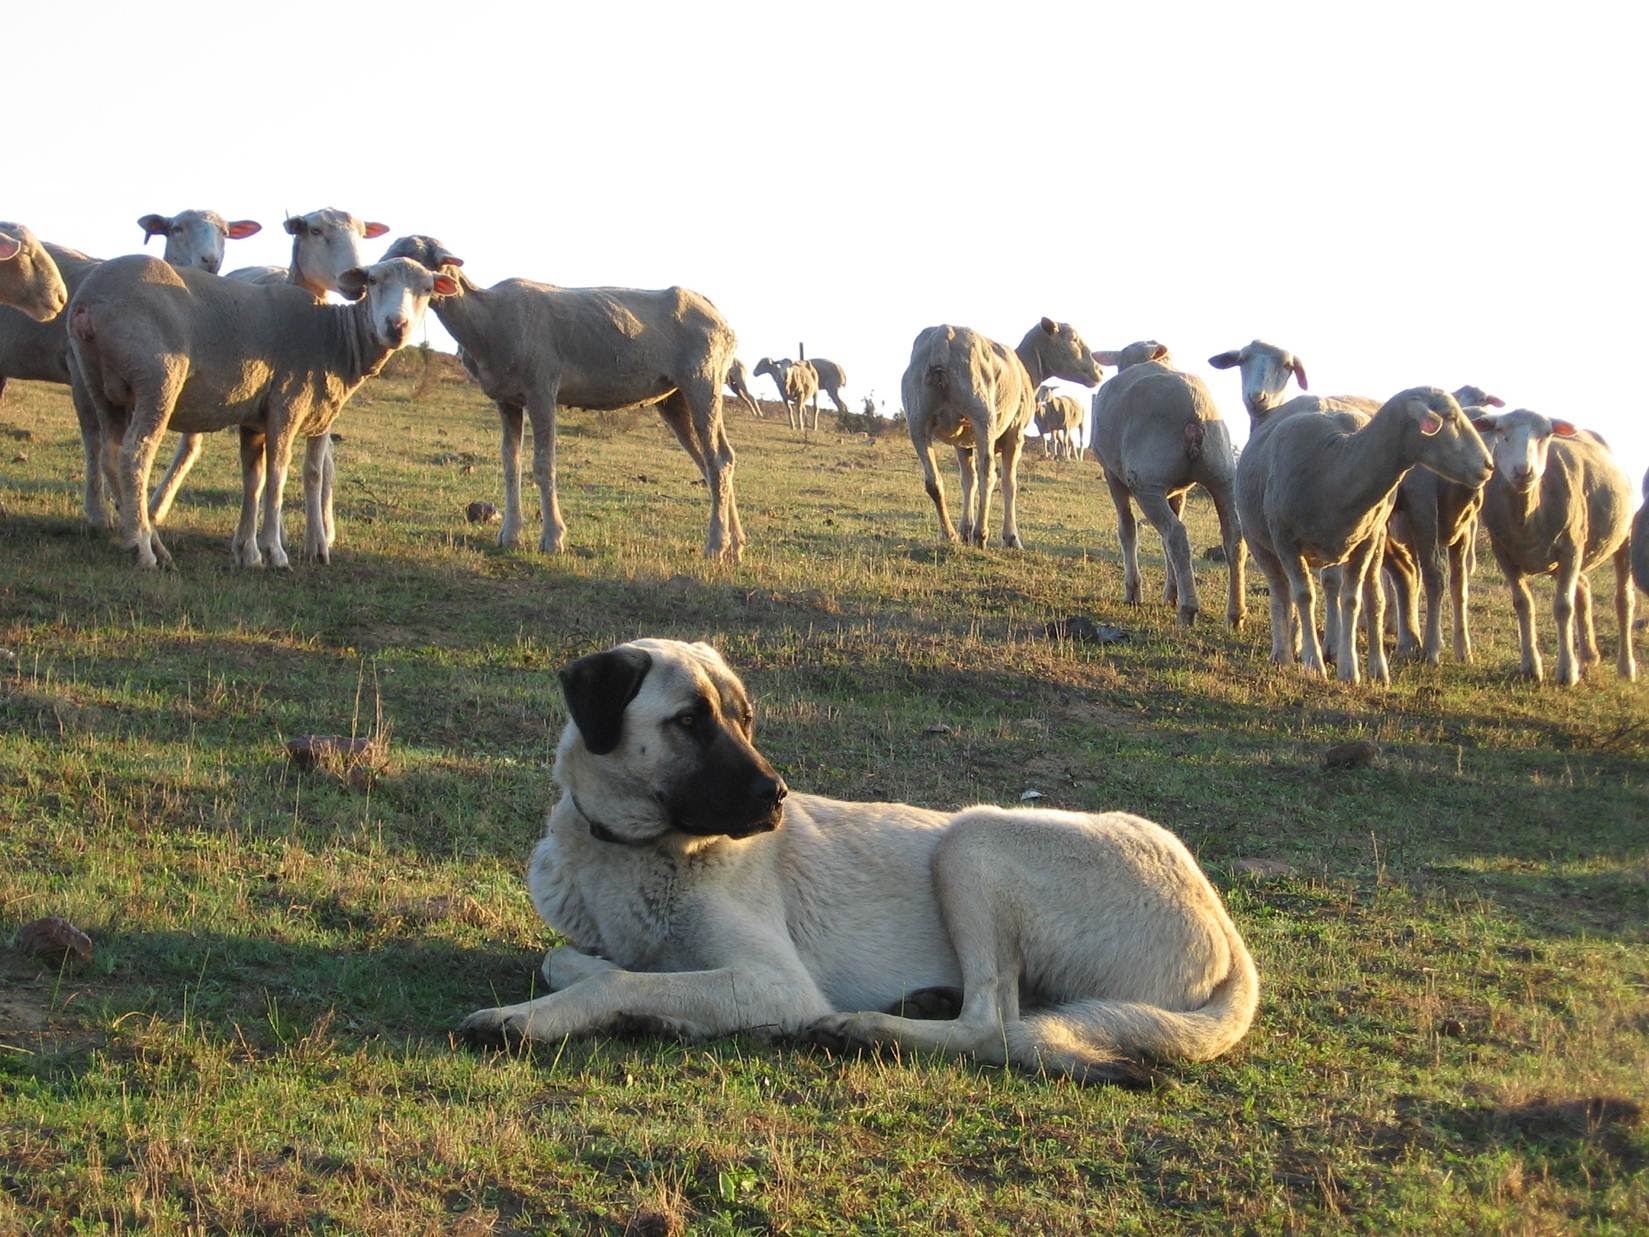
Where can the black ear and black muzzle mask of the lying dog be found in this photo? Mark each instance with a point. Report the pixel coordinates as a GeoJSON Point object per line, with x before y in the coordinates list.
{"type": "Point", "coordinates": [713, 781]}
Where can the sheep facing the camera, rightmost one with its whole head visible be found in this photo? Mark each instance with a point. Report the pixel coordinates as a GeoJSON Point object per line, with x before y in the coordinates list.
{"type": "Point", "coordinates": [1559, 504]}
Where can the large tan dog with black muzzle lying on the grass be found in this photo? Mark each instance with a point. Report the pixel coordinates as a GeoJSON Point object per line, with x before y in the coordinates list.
{"type": "Point", "coordinates": [705, 900]}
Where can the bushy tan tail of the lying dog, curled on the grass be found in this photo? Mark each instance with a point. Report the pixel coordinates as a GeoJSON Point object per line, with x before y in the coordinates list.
{"type": "Point", "coordinates": [1112, 1042]}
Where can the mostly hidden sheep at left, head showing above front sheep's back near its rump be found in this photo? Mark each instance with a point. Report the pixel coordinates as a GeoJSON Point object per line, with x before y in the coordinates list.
{"type": "Point", "coordinates": [40, 350]}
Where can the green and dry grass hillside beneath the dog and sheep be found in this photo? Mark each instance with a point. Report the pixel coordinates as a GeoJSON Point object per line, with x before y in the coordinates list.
{"type": "Point", "coordinates": [1454, 943]}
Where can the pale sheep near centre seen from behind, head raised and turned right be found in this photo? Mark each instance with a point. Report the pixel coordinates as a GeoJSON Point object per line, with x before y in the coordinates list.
{"type": "Point", "coordinates": [979, 397]}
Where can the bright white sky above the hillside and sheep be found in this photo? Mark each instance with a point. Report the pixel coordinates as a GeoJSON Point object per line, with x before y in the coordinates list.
{"type": "Point", "coordinates": [1401, 194]}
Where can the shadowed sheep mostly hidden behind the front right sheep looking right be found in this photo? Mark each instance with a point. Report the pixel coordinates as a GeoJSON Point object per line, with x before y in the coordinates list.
{"type": "Point", "coordinates": [1432, 535]}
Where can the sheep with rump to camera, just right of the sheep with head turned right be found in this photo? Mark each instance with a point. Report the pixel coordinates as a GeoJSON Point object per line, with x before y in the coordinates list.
{"type": "Point", "coordinates": [1158, 433]}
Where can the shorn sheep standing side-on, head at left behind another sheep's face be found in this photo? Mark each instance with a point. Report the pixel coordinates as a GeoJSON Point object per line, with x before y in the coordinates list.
{"type": "Point", "coordinates": [537, 347]}
